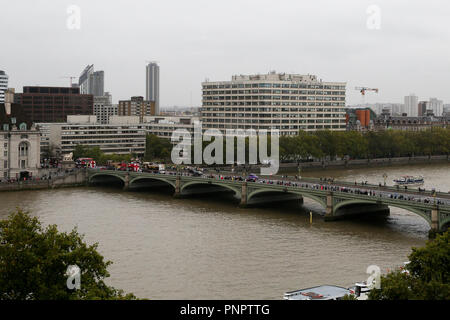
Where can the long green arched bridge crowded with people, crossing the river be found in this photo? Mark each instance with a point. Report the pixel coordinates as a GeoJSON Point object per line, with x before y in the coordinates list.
{"type": "Point", "coordinates": [339, 199]}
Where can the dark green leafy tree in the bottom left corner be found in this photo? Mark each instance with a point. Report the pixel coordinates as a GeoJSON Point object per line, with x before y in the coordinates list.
{"type": "Point", "coordinates": [34, 261]}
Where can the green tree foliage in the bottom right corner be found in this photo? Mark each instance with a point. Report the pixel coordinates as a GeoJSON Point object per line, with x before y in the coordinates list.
{"type": "Point", "coordinates": [428, 277]}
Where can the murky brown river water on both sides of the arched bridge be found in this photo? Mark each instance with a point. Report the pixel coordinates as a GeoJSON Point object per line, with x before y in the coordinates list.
{"type": "Point", "coordinates": [209, 248]}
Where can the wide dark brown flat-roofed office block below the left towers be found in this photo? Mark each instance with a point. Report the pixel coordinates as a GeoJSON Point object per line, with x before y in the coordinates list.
{"type": "Point", "coordinates": [54, 104]}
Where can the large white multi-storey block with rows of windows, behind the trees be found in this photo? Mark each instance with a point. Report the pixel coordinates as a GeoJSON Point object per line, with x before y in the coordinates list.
{"type": "Point", "coordinates": [288, 102]}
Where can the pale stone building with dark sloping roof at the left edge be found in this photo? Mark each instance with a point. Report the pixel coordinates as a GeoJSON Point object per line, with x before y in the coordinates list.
{"type": "Point", "coordinates": [19, 142]}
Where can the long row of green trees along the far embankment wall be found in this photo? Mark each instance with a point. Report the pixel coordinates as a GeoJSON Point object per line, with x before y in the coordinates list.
{"type": "Point", "coordinates": [359, 145]}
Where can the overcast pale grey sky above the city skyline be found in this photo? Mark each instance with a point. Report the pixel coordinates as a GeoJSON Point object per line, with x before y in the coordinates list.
{"type": "Point", "coordinates": [197, 39]}
